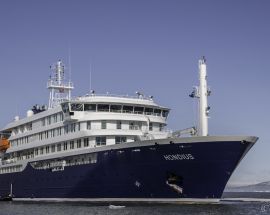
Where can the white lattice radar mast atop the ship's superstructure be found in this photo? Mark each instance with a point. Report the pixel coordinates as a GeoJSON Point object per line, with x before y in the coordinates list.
{"type": "Point", "coordinates": [59, 89]}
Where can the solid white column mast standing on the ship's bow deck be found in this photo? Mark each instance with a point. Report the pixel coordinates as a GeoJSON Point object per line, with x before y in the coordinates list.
{"type": "Point", "coordinates": [202, 92]}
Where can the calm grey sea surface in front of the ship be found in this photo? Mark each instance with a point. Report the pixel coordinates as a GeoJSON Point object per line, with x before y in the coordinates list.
{"type": "Point", "coordinates": [225, 207]}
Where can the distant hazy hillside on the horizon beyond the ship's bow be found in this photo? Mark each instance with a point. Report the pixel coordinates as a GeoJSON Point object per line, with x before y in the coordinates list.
{"type": "Point", "coordinates": [261, 187]}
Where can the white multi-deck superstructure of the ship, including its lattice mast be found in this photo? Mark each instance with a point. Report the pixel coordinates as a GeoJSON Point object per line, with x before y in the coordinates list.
{"type": "Point", "coordinates": [73, 126]}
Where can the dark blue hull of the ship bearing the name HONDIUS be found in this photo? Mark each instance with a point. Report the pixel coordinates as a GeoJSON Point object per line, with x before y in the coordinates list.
{"type": "Point", "coordinates": [189, 170]}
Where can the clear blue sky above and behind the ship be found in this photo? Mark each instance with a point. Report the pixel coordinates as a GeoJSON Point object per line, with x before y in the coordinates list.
{"type": "Point", "coordinates": [152, 46]}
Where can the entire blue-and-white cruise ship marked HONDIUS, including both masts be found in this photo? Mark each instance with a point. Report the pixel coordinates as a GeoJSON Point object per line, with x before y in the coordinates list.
{"type": "Point", "coordinates": [114, 148]}
